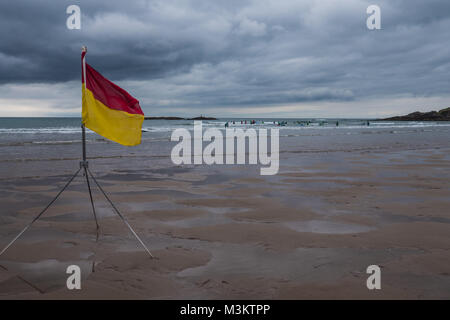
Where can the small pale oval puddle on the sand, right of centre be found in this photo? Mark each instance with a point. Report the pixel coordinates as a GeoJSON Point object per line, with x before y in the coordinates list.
{"type": "Point", "coordinates": [328, 227]}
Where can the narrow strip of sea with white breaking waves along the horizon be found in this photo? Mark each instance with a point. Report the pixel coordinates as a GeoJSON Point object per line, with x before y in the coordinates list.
{"type": "Point", "coordinates": [48, 130]}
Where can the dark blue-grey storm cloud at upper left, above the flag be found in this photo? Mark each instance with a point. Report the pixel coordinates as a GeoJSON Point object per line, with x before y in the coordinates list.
{"type": "Point", "coordinates": [37, 47]}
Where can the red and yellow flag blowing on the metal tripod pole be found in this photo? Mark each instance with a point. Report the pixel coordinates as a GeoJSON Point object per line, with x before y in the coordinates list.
{"type": "Point", "coordinates": [108, 109]}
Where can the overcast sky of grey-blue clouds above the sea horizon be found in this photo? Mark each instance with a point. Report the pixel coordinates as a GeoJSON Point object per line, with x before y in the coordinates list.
{"type": "Point", "coordinates": [261, 58]}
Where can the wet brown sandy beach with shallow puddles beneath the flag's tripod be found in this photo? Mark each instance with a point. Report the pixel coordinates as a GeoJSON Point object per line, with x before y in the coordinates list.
{"type": "Point", "coordinates": [226, 232]}
